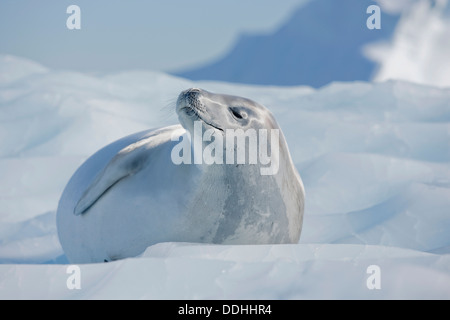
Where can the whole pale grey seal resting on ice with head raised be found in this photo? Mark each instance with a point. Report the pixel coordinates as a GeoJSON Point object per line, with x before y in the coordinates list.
{"type": "Point", "coordinates": [149, 187]}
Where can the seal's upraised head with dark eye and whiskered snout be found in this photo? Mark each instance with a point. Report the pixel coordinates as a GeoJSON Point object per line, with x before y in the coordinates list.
{"type": "Point", "coordinates": [221, 111]}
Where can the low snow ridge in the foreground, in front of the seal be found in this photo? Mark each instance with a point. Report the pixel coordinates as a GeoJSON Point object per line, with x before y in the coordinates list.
{"type": "Point", "coordinates": [187, 271]}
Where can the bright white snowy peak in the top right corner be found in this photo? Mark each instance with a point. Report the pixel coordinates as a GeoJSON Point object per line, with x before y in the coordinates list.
{"type": "Point", "coordinates": [420, 46]}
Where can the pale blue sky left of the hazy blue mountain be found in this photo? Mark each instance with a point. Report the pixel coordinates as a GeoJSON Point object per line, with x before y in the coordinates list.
{"type": "Point", "coordinates": [118, 35]}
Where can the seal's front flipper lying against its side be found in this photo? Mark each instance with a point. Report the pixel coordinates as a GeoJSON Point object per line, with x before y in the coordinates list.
{"type": "Point", "coordinates": [127, 162]}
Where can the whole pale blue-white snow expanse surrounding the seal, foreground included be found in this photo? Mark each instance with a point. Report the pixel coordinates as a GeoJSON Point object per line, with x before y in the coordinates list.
{"type": "Point", "coordinates": [374, 159]}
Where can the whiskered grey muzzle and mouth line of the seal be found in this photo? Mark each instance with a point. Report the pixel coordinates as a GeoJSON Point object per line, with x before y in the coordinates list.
{"type": "Point", "coordinates": [189, 104]}
